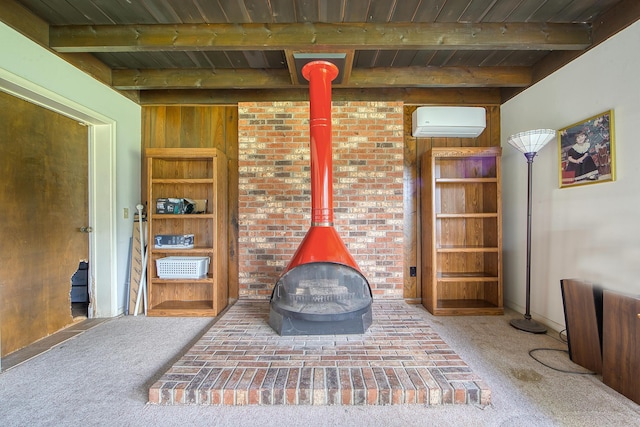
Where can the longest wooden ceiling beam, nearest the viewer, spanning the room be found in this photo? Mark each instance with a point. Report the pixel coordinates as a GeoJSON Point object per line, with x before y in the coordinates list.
{"type": "Point", "coordinates": [363, 36]}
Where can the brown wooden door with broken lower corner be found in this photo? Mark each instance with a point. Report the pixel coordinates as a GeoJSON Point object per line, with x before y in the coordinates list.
{"type": "Point", "coordinates": [43, 205]}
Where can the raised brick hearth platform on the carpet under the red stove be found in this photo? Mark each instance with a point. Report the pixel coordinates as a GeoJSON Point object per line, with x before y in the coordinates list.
{"type": "Point", "coordinates": [242, 361]}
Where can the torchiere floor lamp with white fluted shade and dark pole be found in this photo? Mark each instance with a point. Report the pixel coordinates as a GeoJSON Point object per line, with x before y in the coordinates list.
{"type": "Point", "coordinates": [529, 143]}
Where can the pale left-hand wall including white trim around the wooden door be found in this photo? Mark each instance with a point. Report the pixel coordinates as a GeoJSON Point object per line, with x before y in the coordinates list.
{"type": "Point", "coordinates": [37, 74]}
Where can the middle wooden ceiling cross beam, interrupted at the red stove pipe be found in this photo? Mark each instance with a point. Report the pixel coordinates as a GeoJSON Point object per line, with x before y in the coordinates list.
{"type": "Point", "coordinates": [360, 78]}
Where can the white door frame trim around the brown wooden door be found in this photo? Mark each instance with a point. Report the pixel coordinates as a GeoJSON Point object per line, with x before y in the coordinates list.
{"type": "Point", "coordinates": [103, 285]}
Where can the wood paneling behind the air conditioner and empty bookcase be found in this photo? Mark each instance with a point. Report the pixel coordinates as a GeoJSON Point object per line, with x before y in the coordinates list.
{"type": "Point", "coordinates": [413, 151]}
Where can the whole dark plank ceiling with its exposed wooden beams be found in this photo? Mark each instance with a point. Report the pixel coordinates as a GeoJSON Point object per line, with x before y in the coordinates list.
{"type": "Point", "coordinates": [225, 51]}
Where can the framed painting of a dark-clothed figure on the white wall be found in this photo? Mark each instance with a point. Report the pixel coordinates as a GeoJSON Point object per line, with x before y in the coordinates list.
{"type": "Point", "coordinates": [586, 151]}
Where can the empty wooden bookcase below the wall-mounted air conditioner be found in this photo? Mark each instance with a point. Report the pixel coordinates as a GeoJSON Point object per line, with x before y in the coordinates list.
{"type": "Point", "coordinates": [461, 231]}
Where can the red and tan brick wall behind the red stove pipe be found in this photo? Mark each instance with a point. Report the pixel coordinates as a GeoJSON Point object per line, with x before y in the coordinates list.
{"type": "Point", "coordinates": [275, 196]}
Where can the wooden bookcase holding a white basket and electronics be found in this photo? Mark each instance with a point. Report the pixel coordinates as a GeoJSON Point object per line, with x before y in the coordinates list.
{"type": "Point", "coordinates": [193, 173]}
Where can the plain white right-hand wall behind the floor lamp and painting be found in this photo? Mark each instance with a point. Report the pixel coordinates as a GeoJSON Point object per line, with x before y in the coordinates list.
{"type": "Point", "coordinates": [590, 232]}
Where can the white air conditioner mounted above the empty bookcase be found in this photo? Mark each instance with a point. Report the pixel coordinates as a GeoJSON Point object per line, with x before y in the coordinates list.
{"type": "Point", "coordinates": [462, 122]}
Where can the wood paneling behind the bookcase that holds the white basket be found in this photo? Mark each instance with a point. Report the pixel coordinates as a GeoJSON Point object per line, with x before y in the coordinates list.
{"type": "Point", "coordinates": [208, 126]}
